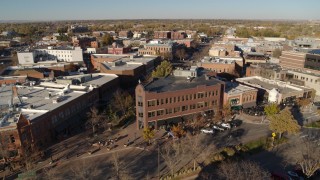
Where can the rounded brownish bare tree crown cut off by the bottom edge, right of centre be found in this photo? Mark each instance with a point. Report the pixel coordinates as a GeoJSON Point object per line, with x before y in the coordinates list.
{"type": "Point", "coordinates": [241, 170]}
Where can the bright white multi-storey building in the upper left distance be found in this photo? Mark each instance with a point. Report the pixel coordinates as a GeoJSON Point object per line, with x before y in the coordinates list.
{"type": "Point", "coordinates": [59, 54]}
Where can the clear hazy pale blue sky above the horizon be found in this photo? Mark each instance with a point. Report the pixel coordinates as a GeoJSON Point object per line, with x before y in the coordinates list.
{"type": "Point", "coordinates": [158, 9]}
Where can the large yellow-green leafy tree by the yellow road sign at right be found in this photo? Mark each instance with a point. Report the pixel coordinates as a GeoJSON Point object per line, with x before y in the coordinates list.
{"type": "Point", "coordinates": [283, 122]}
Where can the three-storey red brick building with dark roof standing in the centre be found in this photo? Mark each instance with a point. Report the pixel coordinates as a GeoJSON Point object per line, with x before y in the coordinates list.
{"type": "Point", "coordinates": [184, 93]}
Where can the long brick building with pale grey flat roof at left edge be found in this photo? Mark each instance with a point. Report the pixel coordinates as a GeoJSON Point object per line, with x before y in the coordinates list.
{"type": "Point", "coordinates": [36, 116]}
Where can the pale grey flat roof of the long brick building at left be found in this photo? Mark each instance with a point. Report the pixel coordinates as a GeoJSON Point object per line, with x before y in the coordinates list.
{"type": "Point", "coordinates": [38, 100]}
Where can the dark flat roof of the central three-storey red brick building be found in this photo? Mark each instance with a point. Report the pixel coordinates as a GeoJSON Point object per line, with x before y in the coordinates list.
{"type": "Point", "coordinates": [173, 83]}
